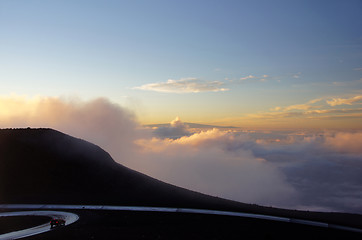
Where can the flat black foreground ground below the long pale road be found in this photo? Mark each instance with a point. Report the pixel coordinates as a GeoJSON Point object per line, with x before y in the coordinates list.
{"type": "Point", "coordinates": [139, 225]}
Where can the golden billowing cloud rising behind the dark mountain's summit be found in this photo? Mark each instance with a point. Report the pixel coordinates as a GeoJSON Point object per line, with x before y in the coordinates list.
{"type": "Point", "coordinates": [98, 121]}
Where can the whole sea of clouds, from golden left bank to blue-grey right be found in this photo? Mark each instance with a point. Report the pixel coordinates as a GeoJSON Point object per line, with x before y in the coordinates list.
{"type": "Point", "coordinates": [312, 170]}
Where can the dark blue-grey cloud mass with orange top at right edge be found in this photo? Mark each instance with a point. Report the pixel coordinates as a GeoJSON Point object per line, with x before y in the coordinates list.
{"type": "Point", "coordinates": [324, 167]}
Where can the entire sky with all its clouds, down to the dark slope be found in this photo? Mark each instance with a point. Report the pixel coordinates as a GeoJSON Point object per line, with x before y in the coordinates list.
{"type": "Point", "coordinates": [287, 74]}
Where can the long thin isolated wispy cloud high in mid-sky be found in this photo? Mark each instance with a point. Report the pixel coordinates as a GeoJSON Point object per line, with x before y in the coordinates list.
{"type": "Point", "coordinates": [185, 85]}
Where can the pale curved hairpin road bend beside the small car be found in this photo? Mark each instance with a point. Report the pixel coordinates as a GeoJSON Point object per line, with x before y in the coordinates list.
{"type": "Point", "coordinates": [68, 217]}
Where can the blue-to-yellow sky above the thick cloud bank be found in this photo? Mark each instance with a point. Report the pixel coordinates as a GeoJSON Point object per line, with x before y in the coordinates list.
{"type": "Point", "coordinates": [254, 64]}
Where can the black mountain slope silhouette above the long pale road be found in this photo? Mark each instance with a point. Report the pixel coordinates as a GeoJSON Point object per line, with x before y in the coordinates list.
{"type": "Point", "coordinates": [44, 166]}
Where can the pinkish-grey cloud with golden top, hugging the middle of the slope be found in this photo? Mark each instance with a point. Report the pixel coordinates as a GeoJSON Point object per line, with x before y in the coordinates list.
{"type": "Point", "coordinates": [204, 162]}
